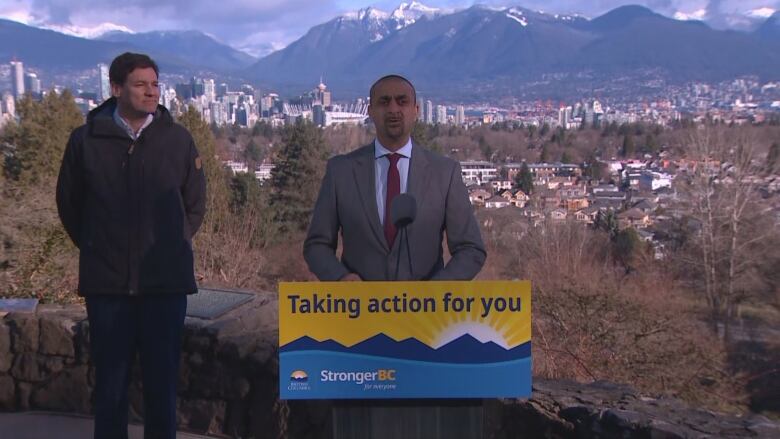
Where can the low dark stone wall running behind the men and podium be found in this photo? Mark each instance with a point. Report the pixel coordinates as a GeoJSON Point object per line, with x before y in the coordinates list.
{"type": "Point", "coordinates": [229, 386]}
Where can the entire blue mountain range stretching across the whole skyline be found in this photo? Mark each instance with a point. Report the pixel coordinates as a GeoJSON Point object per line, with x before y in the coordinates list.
{"type": "Point", "coordinates": [437, 49]}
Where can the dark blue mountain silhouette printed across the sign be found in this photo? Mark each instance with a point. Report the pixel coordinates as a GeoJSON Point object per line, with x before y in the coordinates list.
{"type": "Point", "coordinates": [465, 349]}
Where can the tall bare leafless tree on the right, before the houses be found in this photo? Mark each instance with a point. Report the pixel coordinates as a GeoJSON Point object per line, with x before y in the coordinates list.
{"type": "Point", "coordinates": [724, 253]}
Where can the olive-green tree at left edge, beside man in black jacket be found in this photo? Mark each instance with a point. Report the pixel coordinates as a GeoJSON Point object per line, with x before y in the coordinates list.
{"type": "Point", "coordinates": [39, 140]}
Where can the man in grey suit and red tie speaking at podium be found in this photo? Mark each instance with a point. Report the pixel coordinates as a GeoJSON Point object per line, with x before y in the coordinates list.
{"type": "Point", "coordinates": [356, 199]}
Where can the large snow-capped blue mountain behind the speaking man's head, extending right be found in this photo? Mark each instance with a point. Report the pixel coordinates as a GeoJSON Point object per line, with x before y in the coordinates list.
{"type": "Point", "coordinates": [484, 43]}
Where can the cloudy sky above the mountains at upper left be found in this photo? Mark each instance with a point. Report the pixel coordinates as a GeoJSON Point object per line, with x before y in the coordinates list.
{"type": "Point", "coordinates": [267, 23]}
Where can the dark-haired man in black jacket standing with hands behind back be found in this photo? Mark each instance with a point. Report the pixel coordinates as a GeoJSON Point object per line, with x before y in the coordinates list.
{"type": "Point", "coordinates": [131, 195]}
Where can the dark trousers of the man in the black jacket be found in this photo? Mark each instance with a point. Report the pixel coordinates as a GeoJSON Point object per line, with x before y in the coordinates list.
{"type": "Point", "coordinates": [120, 326]}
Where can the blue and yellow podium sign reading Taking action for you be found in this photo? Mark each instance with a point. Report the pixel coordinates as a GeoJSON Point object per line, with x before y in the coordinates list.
{"type": "Point", "coordinates": [404, 340]}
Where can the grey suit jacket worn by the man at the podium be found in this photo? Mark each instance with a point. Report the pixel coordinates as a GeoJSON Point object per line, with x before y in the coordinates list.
{"type": "Point", "coordinates": [347, 204]}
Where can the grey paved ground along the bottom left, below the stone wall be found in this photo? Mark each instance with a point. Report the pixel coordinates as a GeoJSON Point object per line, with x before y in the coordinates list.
{"type": "Point", "coordinates": [45, 425]}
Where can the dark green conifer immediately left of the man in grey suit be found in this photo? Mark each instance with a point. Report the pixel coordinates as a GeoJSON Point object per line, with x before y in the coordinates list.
{"type": "Point", "coordinates": [295, 180]}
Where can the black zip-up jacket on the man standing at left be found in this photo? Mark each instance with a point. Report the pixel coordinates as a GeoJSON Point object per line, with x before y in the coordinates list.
{"type": "Point", "coordinates": [132, 207]}
